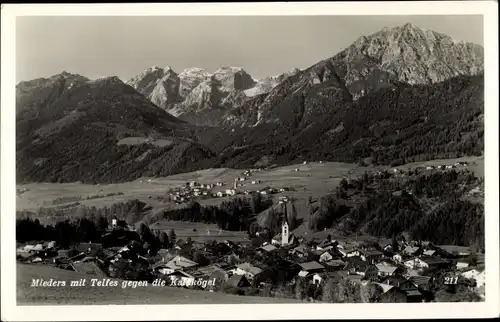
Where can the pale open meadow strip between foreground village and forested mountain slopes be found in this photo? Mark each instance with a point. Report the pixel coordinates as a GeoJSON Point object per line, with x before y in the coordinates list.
{"type": "Point", "coordinates": [313, 179]}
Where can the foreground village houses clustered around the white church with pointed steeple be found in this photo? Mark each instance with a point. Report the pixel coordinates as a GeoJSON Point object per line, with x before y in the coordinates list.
{"type": "Point", "coordinates": [403, 273]}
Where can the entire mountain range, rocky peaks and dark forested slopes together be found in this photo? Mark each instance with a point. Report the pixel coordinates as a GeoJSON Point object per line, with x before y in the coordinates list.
{"type": "Point", "coordinates": [399, 95]}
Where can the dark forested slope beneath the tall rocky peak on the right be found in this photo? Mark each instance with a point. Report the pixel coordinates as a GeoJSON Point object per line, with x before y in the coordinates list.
{"type": "Point", "coordinates": [397, 125]}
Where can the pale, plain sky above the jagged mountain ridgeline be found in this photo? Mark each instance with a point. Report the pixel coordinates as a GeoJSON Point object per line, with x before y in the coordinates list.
{"type": "Point", "coordinates": [263, 45]}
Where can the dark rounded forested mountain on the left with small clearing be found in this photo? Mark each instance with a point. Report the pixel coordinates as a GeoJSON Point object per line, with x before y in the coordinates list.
{"type": "Point", "coordinates": [100, 130]}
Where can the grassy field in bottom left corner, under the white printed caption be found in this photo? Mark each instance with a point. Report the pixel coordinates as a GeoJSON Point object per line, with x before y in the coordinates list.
{"type": "Point", "coordinates": [87, 295]}
